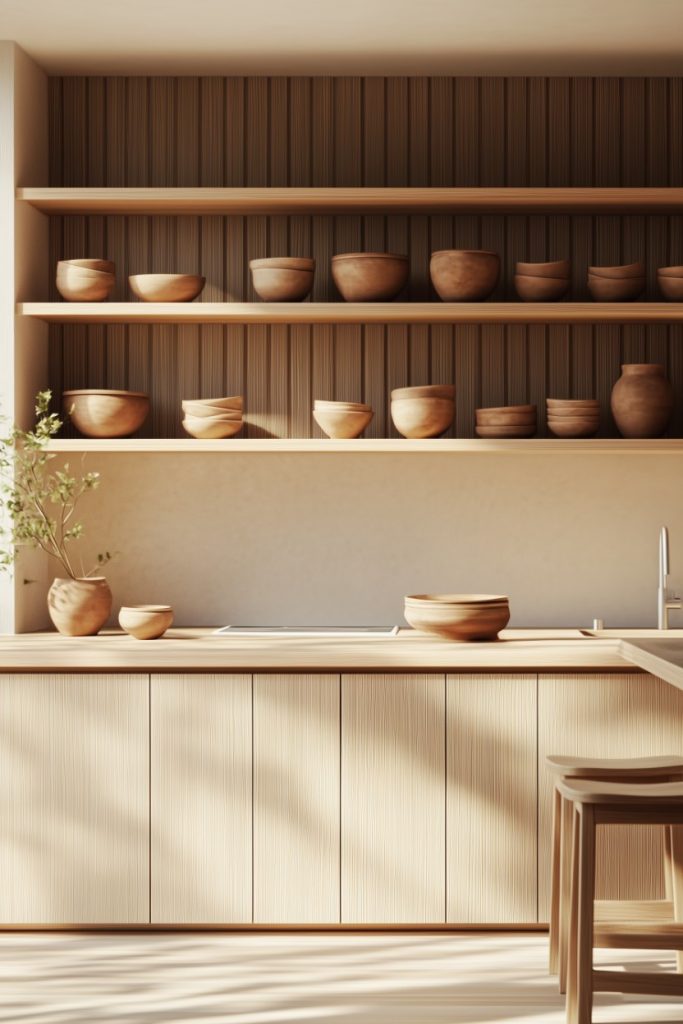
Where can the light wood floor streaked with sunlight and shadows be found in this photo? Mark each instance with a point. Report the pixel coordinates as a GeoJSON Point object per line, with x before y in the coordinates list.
{"type": "Point", "coordinates": [258, 979]}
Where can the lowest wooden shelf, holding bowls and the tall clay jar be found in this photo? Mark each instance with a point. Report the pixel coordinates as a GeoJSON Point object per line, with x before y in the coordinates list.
{"type": "Point", "coordinates": [458, 446]}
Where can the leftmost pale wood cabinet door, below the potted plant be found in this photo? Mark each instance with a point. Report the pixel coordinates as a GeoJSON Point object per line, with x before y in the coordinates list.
{"type": "Point", "coordinates": [74, 799]}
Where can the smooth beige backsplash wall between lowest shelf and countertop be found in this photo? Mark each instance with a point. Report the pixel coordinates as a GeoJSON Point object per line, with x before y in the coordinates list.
{"type": "Point", "coordinates": [316, 539]}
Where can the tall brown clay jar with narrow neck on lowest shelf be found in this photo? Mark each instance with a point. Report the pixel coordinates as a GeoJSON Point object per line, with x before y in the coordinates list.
{"type": "Point", "coordinates": [643, 401]}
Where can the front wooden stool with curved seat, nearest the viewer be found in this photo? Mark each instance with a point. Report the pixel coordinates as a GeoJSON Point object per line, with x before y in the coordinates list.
{"type": "Point", "coordinates": [610, 804]}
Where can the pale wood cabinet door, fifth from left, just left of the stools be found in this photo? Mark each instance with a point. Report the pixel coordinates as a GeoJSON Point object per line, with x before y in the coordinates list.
{"type": "Point", "coordinates": [492, 799]}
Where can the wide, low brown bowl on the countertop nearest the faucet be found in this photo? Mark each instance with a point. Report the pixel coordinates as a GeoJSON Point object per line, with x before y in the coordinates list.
{"type": "Point", "coordinates": [458, 617]}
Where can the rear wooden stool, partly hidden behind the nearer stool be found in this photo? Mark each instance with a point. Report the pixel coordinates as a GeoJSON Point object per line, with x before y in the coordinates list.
{"type": "Point", "coordinates": [631, 772]}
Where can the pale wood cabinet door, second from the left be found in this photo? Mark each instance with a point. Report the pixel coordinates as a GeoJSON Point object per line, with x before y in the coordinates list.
{"type": "Point", "coordinates": [201, 799]}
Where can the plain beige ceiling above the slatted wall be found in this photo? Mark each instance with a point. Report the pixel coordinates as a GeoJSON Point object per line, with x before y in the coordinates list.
{"type": "Point", "coordinates": [370, 37]}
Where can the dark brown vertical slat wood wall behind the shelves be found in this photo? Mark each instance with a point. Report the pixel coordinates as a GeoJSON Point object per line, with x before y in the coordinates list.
{"type": "Point", "coordinates": [362, 132]}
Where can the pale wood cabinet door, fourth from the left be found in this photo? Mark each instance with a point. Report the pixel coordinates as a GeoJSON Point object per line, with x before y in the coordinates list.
{"type": "Point", "coordinates": [394, 793]}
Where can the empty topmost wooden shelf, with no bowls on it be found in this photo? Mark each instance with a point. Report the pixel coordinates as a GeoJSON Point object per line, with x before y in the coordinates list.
{"type": "Point", "coordinates": [358, 200]}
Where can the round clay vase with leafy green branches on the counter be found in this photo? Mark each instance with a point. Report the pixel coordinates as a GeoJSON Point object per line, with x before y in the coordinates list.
{"type": "Point", "coordinates": [38, 503]}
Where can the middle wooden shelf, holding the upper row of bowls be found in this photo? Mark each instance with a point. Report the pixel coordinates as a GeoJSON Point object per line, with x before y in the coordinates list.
{"type": "Point", "coordinates": [354, 313]}
